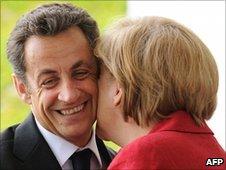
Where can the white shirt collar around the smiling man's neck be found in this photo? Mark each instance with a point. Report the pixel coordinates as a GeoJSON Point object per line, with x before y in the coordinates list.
{"type": "Point", "coordinates": [62, 149]}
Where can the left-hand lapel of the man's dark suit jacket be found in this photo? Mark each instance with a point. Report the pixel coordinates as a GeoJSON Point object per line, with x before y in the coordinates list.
{"type": "Point", "coordinates": [31, 148]}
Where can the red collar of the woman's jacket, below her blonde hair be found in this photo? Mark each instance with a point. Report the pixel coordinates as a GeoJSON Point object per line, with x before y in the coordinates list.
{"type": "Point", "coordinates": [181, 121]}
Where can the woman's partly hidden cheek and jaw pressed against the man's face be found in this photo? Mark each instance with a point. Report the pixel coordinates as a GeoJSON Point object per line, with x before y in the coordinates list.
{"type": "Point", "coordinates": [107, 111]}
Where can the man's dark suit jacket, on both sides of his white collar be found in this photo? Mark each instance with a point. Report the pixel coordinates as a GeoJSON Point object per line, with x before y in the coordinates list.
{"type": "Point", "coordinates": [24, 148]}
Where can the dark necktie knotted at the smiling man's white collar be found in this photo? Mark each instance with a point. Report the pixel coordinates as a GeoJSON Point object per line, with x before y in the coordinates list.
{"type": "Point", "coordinates": [81, 160]}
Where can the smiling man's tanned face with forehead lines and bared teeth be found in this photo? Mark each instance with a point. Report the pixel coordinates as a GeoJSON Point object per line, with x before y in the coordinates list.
{"type": "Point", "coordinates": [62, 84]}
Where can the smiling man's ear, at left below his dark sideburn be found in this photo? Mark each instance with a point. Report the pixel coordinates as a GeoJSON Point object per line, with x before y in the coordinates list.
{"type": "Point", "coordinates": [22, 89]}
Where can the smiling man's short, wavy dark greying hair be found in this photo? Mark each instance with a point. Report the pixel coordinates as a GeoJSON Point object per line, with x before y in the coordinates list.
{"type": "Point", "coordinates": [47, 20]}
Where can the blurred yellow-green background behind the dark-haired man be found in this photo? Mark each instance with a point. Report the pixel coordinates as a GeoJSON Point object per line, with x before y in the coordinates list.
{"type": "Point", "coordinates": [13, 110]}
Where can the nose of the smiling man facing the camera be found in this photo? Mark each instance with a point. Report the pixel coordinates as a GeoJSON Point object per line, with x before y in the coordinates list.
{"type": "Point", "coordinates": [68, 92]}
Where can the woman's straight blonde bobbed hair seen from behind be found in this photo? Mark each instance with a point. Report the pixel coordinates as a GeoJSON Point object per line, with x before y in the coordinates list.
{"type": "Point", "coordinates": [162, 66]}
